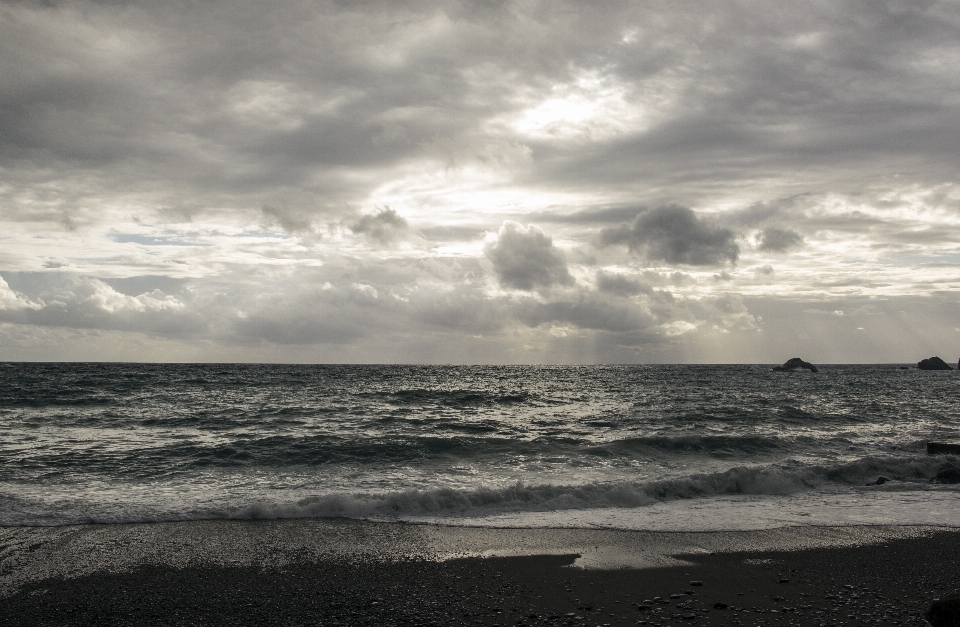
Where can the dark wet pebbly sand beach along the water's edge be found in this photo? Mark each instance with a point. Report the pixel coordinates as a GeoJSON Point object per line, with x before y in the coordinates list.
{"type": "Point", "coordinates": [267, 575]}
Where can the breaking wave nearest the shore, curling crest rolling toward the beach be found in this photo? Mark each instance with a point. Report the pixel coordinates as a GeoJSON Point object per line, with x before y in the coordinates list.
{"type": "Point", "coordinates": [911, 473]}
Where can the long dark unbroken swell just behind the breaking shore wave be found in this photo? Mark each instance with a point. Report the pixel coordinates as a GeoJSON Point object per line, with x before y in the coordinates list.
{"type": "Point", "coordinates": [452, 439]}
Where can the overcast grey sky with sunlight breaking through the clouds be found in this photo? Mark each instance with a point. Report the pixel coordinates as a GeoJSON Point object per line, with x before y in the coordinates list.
{"type": "Point", "coordinates": [480, 182]}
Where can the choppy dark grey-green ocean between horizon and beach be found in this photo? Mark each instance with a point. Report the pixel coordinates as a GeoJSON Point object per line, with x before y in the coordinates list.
{"type": "Point", "coordinates": [659, 447]}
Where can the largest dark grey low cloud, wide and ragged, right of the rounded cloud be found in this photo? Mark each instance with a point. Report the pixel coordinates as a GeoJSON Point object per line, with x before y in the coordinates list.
{"type": "Point", "coordinates": [676, 235]}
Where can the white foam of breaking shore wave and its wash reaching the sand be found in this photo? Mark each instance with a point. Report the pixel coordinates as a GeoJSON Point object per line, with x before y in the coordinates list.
{"type": "Point", "coordinates": [745, 497]}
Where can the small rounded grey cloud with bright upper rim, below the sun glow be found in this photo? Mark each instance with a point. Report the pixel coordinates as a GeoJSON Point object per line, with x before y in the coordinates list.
{"type": "Point", "coordinates": [525, 258]}
